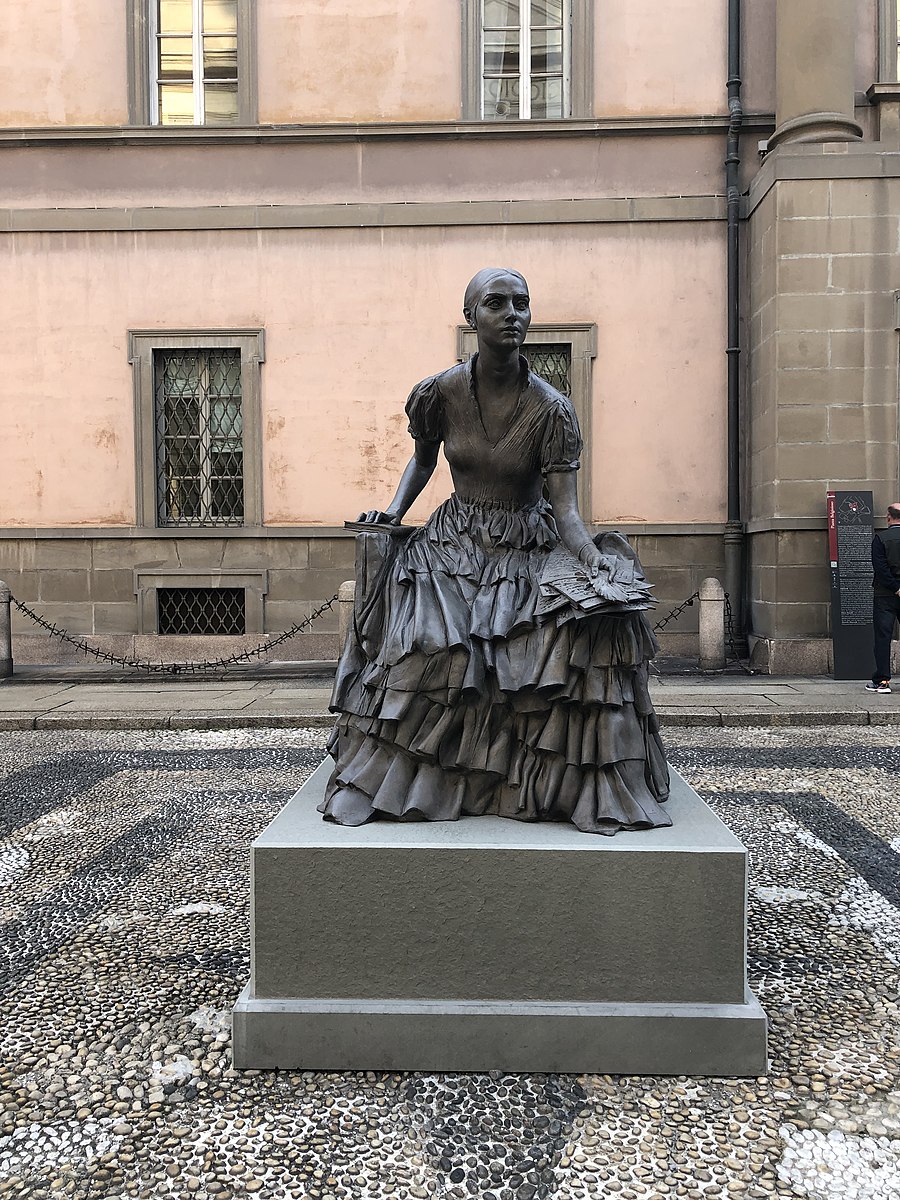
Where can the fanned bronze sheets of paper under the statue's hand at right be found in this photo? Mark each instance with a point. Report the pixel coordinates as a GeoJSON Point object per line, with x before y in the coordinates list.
{"type": "Point", "coordinates": [619, 586]}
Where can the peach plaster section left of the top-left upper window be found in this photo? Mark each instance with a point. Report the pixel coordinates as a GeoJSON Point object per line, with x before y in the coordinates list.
{"type": "Point", "coordinates": [63, 63]}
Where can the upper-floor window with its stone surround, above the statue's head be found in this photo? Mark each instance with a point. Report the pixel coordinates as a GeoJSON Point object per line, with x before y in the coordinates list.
{"type": "Point", "coordinates": [527, 59]}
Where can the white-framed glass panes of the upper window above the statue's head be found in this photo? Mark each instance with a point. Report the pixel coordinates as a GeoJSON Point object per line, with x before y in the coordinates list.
{"type": "Point", "coordinates": [525, 59]}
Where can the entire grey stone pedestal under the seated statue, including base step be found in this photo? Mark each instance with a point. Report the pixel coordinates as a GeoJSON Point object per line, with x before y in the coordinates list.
{"type": "Point", "coordinates": [489, 944]}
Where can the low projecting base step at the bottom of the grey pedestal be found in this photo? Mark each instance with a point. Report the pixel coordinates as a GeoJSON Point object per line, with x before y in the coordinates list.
{"type": "Point", "coordinates": [423, 1035]}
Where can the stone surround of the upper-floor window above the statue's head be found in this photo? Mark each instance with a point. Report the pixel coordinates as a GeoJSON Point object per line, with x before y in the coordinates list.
{"type": "Point", "coordinates": [581, 62]}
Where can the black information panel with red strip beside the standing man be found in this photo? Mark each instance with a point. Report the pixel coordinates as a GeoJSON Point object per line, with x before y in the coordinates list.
{"type": "Point", "coordinates": [850, 549]}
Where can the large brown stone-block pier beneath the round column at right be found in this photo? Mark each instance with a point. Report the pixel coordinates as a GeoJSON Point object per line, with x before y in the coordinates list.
{"type": "Point", "coordinates": [824, 243]}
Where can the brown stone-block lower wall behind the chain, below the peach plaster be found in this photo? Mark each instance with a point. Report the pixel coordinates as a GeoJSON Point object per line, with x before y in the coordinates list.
{"type": "Point", "coordinates": [92, 585]}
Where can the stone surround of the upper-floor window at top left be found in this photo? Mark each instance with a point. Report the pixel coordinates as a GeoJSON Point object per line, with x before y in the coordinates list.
{"type": "Point", "coordinates": [141, 73]}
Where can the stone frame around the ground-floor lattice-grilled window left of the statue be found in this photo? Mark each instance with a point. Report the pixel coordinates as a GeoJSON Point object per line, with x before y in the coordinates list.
{"type": "Point", "coordinates": [142, 345]}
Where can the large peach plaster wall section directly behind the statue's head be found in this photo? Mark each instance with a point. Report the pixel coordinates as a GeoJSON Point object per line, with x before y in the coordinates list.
{"type": "Point", "coordinates": [353, 320]}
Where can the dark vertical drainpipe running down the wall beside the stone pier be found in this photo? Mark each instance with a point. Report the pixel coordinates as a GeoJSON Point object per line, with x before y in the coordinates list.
{"type": "Point", "coordinates": [734, 527]}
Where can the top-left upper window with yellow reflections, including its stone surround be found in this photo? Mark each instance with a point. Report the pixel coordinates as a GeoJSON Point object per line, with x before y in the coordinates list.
{"type": "Point", "coordinates": [193, 62]}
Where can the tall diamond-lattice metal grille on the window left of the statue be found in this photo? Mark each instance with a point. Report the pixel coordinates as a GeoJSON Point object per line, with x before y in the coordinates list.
{"type": "Point", "coordinates": [200, 439]}
